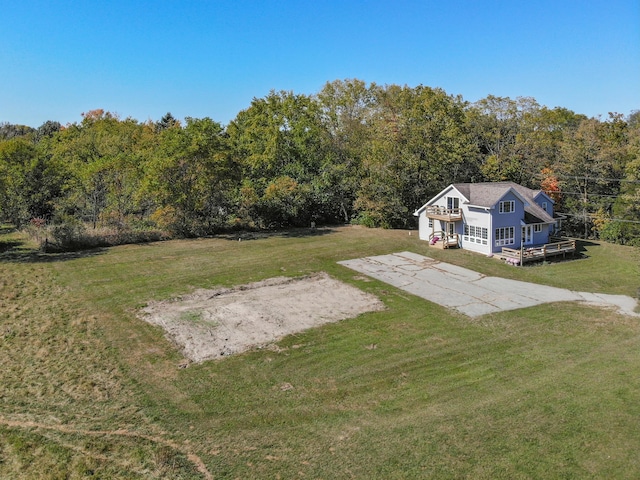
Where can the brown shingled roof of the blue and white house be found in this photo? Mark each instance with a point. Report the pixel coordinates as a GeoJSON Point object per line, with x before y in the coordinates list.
{"type": "Point", "coordinates": [488, 194]}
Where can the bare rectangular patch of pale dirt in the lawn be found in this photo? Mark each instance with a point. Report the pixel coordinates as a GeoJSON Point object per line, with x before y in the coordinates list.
{"type": "Point", "coordinates": [211, 324]}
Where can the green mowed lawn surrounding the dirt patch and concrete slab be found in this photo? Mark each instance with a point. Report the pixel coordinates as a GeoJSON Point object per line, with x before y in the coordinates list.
{"type": "Point", "coordinates": [415, 391]}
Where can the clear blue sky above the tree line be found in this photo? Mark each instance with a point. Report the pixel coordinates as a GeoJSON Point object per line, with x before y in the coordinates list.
{"type": "Point", "coordinates": [208, 58]}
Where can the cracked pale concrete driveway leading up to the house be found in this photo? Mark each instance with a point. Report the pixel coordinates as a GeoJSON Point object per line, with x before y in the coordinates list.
{"type": "Point", "coordinates": [469, 292]}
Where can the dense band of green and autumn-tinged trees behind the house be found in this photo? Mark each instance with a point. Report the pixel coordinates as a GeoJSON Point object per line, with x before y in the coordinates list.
{"type": "Point", "coordinates": [353, 152]}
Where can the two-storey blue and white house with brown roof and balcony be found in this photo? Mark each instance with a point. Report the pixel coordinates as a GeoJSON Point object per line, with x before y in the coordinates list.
{"type": "Point", "coordinates": [485, 217]}
